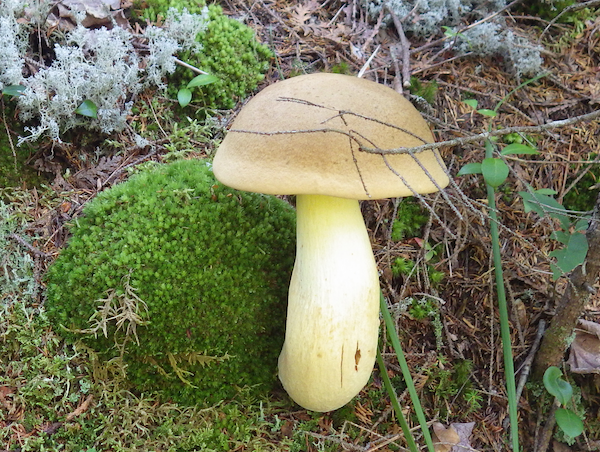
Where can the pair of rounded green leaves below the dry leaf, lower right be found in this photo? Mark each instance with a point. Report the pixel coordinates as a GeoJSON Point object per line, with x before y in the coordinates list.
{"type": "Point", "coordinates": [568, 421]}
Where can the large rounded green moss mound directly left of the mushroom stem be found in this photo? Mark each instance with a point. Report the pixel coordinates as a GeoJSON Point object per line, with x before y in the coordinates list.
{"type": "Point", "coordinates": [185, 278]}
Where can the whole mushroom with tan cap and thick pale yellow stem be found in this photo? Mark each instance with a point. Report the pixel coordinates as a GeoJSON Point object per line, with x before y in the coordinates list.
{"type": "Point", "coordinates": [306, 136]}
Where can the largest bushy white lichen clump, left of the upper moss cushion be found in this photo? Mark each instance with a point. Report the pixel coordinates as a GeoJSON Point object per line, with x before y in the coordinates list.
{"type": "Point", "coordinates": [96, 65]}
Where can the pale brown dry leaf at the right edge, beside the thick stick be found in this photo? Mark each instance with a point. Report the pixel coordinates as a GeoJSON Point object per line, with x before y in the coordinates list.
{"type": "Point", "coordinates": [584, 355]}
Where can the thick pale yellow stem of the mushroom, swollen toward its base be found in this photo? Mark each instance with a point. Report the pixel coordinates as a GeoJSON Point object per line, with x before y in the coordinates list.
{"type": "Point", "coordinates": [333, 308]}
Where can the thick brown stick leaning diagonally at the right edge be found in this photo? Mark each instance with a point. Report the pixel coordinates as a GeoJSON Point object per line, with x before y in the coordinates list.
{"type": "Point", "coordinates": [576, 295]}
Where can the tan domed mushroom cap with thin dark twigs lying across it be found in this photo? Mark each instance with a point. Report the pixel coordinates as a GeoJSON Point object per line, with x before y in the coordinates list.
{"type": "Point", "coordinates": [302, 136]}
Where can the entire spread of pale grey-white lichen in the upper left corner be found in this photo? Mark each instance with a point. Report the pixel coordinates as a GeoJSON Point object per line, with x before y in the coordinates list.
{"type": "Point", "coordinates": [101, 66]}
